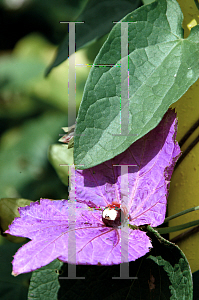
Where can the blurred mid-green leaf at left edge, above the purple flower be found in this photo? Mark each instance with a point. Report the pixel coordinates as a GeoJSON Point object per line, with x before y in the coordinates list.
{"type": "Point", "coordinates": [25, 153]}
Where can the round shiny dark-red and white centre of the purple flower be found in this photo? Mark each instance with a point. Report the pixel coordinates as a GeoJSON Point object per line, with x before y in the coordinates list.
{"type": "Point", "coordinates": [111, 215]}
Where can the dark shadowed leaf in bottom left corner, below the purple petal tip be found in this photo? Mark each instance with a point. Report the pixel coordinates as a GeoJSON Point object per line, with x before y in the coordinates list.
{"type": "Point", "coordinates": [11, 287]}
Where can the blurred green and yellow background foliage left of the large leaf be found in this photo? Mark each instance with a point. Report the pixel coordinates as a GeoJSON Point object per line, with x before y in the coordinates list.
{"type": "Point", "coordinates": [34, 108]}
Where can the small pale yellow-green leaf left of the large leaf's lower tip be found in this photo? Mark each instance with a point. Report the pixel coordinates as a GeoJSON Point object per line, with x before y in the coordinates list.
{"type": "Point", "coordinates": [61, 155]}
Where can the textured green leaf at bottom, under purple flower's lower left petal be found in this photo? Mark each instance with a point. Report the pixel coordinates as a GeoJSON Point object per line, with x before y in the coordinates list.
{"type": "Point", "coordinates": [44, 283]}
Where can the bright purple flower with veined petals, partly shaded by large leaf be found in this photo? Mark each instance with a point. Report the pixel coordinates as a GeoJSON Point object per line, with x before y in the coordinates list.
{"type": "Point", "coordinates": [101, 195]}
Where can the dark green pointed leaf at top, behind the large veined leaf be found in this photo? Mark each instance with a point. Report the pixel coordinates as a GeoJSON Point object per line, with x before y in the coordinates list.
{"type": "Point", "coordinates": [98, 17]}
